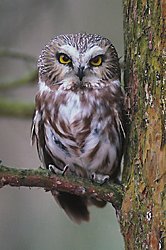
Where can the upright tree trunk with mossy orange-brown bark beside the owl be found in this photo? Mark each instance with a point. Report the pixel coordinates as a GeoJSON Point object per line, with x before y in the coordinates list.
{"type": "Point", "coordinates": [142, 216]}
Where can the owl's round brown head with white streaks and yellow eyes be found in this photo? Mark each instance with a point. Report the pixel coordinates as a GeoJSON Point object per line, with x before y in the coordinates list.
{"type": "Point", "coordinates": [79, 61]}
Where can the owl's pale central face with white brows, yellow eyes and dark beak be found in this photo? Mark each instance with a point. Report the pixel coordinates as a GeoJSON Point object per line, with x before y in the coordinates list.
{"type": "Point", "coordinates": [81, 68]}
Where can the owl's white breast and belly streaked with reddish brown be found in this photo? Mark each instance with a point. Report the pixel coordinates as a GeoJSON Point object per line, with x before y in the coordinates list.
{"type": "Point", "coordinates": [78, 133]}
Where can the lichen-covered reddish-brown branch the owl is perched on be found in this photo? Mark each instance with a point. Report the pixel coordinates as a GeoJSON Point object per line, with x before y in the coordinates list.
{"type": "Point", "coordinates": [109, 192]}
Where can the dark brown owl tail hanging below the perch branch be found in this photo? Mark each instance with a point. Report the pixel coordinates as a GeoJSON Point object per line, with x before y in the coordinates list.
{"type": "Point", "coordinates": [76, 207]}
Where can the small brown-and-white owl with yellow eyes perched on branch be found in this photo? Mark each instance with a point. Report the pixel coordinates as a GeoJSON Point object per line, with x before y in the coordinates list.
{"type": "Point", "coordinates": [78, 121]}
